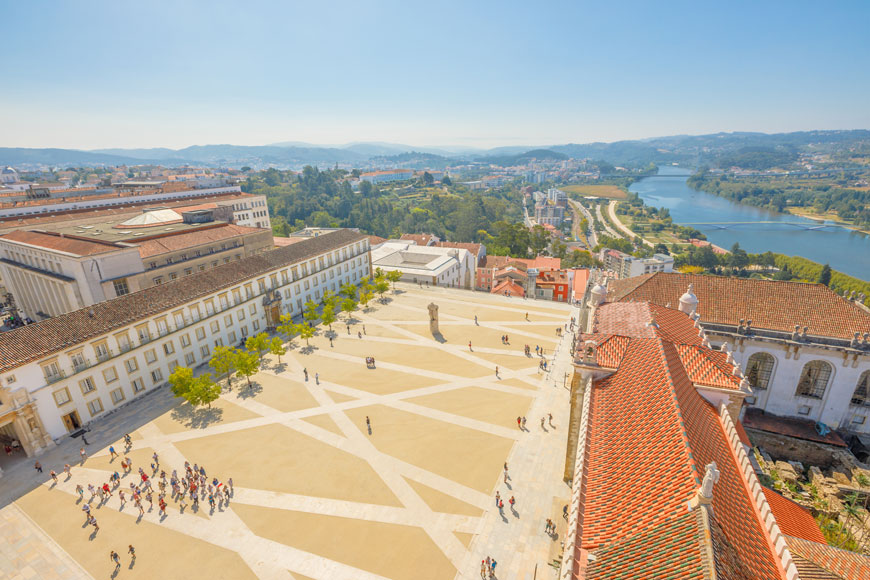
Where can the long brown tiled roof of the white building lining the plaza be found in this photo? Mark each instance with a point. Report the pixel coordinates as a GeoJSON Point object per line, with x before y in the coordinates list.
{"type": "Point", "coordinates": [36, 341]}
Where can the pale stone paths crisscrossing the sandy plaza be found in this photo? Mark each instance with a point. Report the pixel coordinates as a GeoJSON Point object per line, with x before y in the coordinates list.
{"type": "Point", "coordinates": [536, 461]}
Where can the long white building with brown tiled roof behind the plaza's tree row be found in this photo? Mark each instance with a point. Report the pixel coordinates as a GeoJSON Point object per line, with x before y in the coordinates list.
{"type": "Point", "coordinates": [61, 373]}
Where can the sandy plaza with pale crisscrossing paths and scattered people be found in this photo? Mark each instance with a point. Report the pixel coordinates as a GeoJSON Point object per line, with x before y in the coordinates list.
{"type": "Point", "coordinates": [316, 494]}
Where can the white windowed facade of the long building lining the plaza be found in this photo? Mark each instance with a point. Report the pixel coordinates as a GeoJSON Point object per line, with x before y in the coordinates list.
{"type": "Point", "coordinates": [89, 379]}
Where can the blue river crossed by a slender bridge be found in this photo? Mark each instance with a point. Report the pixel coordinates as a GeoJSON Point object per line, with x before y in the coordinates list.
{"type": "Point", "coordinates": [844, 249]}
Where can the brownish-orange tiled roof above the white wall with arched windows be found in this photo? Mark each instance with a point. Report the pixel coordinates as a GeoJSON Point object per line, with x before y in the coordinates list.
{"type": "Point", "coordinates": [770, 304]}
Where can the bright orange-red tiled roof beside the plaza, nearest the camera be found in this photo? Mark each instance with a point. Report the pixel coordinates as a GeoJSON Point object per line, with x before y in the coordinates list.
{"type": "Point", "coordinates": [649, 437]}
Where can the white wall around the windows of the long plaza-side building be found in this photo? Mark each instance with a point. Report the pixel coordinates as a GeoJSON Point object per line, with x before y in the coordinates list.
{"type": "Point", "coordinates": [248, 313]}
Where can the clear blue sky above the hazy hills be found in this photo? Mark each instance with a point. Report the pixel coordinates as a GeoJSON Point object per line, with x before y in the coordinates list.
{"type": "Point", "coordinates": [175, 73]}
